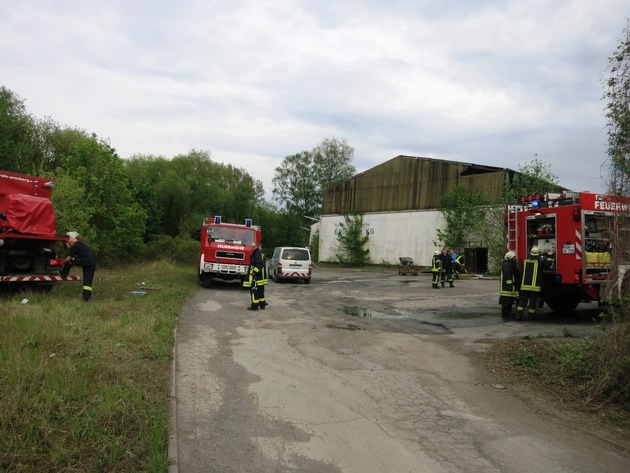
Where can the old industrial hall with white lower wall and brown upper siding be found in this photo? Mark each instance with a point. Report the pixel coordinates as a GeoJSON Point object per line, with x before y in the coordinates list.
{"type": "Point", "coordinates": [398, 200]}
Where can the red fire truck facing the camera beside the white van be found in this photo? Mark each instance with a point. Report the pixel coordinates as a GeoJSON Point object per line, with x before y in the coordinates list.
{"type": "Point", "coordinates": [225, 250]}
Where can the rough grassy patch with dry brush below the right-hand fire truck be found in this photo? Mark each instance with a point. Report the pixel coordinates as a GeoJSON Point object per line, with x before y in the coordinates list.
{"type": "Point", "coordinates": [587, 374]}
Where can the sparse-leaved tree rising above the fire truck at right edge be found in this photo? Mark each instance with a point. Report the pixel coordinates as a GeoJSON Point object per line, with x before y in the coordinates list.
{"type": "Point", "coordinates": [618, 113]}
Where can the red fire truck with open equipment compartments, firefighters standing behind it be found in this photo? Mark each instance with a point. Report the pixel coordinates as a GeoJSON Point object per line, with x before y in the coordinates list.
{"type": "Point", "coordinates": [581, 237]}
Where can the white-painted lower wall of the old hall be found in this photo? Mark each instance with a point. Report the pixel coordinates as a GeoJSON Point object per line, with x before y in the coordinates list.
{"type": "Point", "coordinates": [392, 235]}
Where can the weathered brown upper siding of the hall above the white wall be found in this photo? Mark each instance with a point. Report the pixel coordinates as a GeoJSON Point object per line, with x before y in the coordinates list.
{"type": "Point", "coordinates": [410, 183]}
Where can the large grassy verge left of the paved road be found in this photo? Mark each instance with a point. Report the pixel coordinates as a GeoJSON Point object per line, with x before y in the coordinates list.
{"type": "Point", "coordinates": [84, 386]}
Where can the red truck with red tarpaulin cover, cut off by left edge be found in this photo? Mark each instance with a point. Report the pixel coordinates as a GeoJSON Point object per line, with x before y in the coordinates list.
{"type": "Point", "coordinates": [28, 234]}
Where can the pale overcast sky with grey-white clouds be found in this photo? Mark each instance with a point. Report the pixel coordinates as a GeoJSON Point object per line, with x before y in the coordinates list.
{"type": "Point", "coordinates": [493, 82]}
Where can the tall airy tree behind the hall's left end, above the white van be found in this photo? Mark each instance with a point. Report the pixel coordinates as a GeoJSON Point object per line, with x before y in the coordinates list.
{"type": "Point", "coordinates": [302, 178]}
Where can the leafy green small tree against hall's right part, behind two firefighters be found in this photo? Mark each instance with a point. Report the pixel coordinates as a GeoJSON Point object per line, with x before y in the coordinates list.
{"type": "Point", "coordinates": [463, 213]}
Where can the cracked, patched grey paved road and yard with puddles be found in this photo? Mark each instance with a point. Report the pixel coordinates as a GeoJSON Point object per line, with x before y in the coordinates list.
{"type": "Point", "coordinates": [369, 371]}
